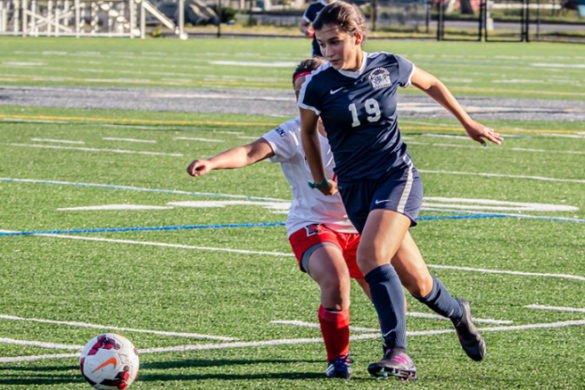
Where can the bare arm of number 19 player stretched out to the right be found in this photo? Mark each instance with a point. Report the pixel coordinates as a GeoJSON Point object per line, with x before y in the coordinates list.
{"type": "Point", "coordinates": [433, 87]}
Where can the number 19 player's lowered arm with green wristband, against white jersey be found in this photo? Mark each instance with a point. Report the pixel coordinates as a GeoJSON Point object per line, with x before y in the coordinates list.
{"type": "Point", "coordinates": [312, 147]}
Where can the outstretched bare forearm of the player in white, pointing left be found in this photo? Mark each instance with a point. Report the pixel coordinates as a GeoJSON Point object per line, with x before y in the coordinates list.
{"type": "Point", "coordinates": [238, 157]}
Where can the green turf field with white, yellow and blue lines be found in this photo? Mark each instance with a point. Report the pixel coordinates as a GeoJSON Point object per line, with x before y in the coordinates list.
{"type": "Point", "coordinates": [212, 296]}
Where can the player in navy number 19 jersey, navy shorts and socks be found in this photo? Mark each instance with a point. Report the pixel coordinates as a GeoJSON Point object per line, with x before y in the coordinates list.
{"type": "Point", "coordinates": [355, 96]}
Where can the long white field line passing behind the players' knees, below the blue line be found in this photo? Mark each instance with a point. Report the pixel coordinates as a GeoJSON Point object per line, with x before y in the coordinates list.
{"type": "Point", "coordinates": [280, 254]}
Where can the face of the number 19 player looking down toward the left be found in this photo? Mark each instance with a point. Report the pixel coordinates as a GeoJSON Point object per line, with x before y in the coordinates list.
{"type": "Point", "coordinates": [340, 48]}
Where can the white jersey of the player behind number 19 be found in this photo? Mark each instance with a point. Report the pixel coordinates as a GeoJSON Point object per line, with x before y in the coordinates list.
{"type": "Point", "coordinates": [309, 206]}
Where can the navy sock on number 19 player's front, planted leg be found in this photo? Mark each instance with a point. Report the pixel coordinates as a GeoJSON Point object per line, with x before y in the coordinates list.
{"type": "Point", "coordinates": [388, 298]}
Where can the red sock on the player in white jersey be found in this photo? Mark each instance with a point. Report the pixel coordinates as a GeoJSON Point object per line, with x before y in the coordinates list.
{"type": "Point", "coordinates": [335, 330]}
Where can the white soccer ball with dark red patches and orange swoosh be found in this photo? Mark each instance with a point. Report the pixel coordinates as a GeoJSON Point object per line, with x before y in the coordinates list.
{"type": "Point", "coordinates": [109, 361]}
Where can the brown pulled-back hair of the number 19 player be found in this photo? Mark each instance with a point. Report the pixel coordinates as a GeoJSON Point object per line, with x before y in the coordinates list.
{"type": "Point", "coordinates": [347, 17]}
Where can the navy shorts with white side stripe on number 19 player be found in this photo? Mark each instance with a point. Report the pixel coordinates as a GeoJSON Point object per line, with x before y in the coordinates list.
{"type": "Point", "coordinates": [400, 191]}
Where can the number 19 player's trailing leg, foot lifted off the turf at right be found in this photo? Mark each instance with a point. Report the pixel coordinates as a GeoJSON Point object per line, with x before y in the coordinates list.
{"type": "Point", "coordinates": [425, 287]}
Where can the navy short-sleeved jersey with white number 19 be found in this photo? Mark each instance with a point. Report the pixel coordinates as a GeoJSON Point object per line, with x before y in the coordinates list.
{"type": "Point", "coordinates": [358, 110]}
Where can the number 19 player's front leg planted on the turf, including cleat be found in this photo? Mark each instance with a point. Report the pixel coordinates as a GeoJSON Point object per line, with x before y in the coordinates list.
{"type": "Point", "coordinates": [381, 237]}
